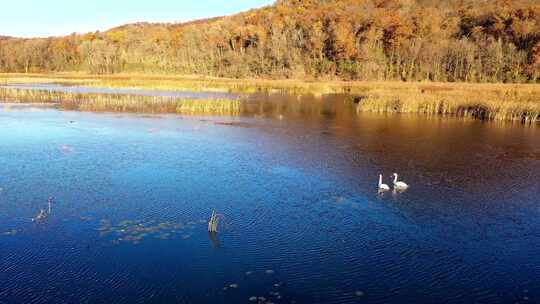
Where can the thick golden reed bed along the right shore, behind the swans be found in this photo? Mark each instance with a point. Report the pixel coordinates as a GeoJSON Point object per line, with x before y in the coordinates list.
{"type": "Point", "coordinates": [500, 103]}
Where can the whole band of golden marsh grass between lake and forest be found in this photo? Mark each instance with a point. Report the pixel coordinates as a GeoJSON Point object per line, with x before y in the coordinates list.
{"type": "Point", "coordinates": [501, 102]}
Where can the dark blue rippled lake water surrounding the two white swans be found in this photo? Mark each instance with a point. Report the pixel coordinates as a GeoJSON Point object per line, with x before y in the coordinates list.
{"type": "Point", "coordinates": [303, 220]}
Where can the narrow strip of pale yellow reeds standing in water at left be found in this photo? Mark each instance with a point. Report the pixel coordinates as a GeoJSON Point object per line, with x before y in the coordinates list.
{"type": "Point", "coordinates": [123, 102]}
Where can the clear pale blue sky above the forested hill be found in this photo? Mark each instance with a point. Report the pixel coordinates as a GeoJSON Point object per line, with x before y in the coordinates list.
{"type": "Point", "coordinates": [42, 18]}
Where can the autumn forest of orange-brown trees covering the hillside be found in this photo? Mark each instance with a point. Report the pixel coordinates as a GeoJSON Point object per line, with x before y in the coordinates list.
{"type": "Point", "coordinates": [403, 40]}
